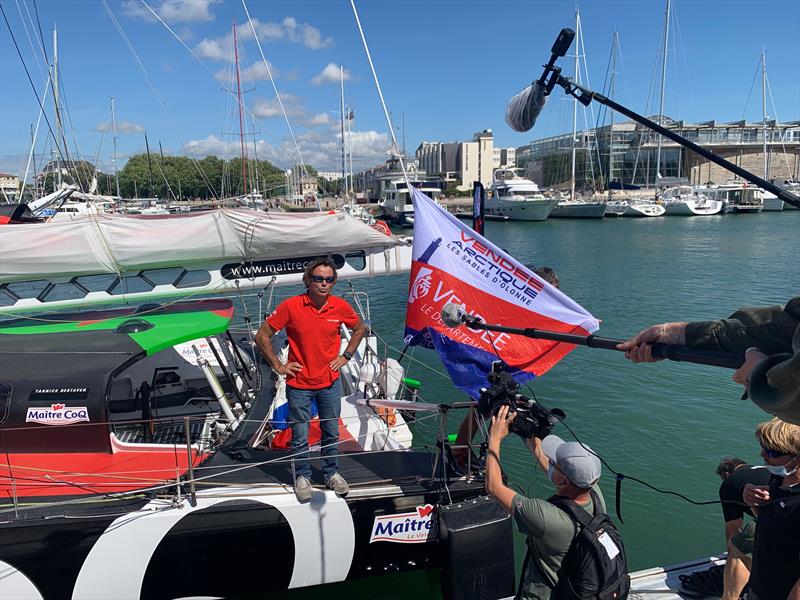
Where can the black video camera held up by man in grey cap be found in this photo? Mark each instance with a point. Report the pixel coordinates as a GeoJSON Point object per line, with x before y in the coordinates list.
{"type": "Point", "coordinates": [532, 418]}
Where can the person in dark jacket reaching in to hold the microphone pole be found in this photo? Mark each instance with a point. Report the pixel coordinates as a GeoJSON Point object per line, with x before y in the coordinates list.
{"type": "Point", "coordinates": [769, 337]}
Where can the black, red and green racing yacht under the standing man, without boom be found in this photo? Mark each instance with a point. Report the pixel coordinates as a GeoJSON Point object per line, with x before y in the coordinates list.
{"type": "Point", "coordinates": [161, 444]}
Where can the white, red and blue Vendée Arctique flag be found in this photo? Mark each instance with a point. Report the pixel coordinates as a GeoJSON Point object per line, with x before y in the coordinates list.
{"type": "Point", "coordinates": [452, 263]}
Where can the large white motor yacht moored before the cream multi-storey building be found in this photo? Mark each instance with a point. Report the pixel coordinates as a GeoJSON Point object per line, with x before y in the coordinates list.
{"type": "Point", "coordinates": [516, 198]}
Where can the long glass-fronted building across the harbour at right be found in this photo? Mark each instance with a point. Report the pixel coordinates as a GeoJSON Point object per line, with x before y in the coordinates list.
{"type": "Point", "coordinates": [635, 151]}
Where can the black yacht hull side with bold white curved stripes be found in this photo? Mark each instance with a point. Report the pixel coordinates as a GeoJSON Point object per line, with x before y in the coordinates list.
{"type": "Point", "coordinates": [243, 542]}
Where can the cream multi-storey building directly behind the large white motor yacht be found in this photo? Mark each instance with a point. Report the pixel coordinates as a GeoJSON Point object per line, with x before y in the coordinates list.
{"type": "Point", "coordinates": [459, 164]}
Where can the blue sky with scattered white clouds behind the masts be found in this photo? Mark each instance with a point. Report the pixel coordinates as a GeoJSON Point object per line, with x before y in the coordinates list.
{"type": "Point", "coordinates": [446, 68]}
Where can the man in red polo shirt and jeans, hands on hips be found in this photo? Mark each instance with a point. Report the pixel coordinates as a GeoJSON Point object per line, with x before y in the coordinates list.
{"type": "Point", "coordinates": [312, 321]}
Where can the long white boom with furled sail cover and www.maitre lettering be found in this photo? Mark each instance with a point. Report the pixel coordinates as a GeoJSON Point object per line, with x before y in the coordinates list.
{"type": "Point", "coordinates": [138, 258]}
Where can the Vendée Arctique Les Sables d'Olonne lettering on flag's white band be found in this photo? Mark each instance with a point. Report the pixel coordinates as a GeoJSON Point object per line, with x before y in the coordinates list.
{"type": "Point", "coordinates": [496, 268]}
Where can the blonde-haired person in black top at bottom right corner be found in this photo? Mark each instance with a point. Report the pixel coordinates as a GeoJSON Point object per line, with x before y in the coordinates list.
{"type": "Point", "coordinates": [776, 550]}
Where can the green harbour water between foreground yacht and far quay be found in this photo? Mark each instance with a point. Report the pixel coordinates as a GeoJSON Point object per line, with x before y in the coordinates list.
{"type": "Point", "coordinates": [668, 423]}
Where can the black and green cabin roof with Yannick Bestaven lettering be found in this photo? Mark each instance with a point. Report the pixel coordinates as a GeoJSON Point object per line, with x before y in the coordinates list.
{"type": "Point", "coordinates": [55, 370]}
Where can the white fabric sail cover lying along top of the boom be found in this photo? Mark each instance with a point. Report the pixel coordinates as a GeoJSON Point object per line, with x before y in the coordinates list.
{"type": "Point", "coordinates": [124, 243]}
